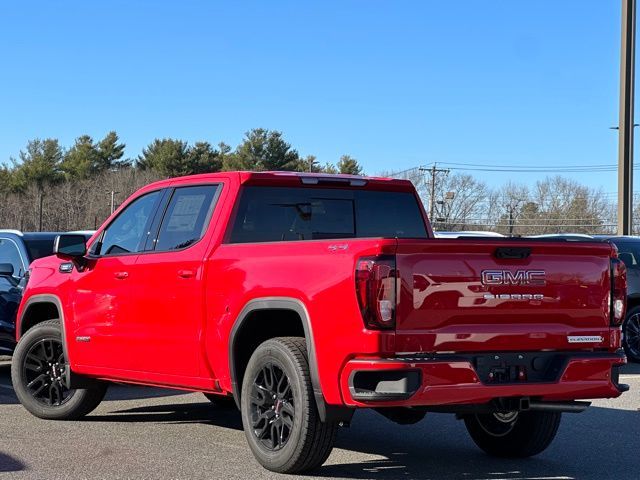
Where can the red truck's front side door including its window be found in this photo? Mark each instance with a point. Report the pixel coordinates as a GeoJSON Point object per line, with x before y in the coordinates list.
{"type": "Point", "coordinates": [104, 326]}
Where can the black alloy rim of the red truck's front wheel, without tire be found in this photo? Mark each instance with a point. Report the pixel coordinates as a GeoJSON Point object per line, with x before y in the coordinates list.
{"type": "Point", "coordinates": [44, 371]}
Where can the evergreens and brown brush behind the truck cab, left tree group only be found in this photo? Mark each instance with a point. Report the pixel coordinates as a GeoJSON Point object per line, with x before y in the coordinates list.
{"type": "Point", "coordinates": [50, 187]}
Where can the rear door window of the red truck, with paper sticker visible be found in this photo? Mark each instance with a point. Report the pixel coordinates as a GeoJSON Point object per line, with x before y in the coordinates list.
{"type": "Point", "coordinates": [185, 220]}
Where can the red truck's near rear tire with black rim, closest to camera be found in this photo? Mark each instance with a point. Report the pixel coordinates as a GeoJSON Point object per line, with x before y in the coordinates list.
{"type": "Point", "coordinates": [285, 434]}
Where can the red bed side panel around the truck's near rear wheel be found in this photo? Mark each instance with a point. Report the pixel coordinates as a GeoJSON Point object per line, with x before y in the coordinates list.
{"type": "Point", "coordinates": [313, 272]}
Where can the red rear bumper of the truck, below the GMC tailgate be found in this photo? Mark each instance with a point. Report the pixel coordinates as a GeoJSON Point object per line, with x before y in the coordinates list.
{"type": "Point", "coordinates": [460, 380]}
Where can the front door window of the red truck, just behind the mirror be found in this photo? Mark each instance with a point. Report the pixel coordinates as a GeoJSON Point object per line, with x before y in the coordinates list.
{"type": "Point", "coordinates": [128, 232]}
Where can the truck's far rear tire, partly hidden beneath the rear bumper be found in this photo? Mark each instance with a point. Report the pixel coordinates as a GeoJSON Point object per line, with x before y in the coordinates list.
{"type": "Point", "coordinates": [513, 434]}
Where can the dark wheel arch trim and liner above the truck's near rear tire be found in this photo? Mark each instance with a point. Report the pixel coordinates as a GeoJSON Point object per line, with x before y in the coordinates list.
{"type": "Point", "coordinates": [250, 314]}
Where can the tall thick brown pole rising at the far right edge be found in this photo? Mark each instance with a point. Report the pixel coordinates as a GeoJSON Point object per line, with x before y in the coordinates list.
{"type": "Point", "coordinates": [625, 131]}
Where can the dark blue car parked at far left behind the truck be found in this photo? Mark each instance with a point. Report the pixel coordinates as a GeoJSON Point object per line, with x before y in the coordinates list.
{"type": "Point", "coordinates": [17, 251]}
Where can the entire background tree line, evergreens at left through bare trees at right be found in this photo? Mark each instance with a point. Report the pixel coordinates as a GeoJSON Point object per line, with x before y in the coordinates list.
{"type": "Point", "coordinates": [50, 187]}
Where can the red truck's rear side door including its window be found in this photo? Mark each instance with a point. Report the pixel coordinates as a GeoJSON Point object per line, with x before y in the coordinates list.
{"type": "Point", "coordinates": [169, 305]}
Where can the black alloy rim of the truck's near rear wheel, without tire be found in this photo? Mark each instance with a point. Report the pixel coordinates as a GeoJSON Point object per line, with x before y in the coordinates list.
{"type": "Point", "coordinates": [272, 407]}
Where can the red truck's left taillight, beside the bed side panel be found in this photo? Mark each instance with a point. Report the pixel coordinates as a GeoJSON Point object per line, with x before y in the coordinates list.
{"type": "Point", "coordinates": [376, 291]}
